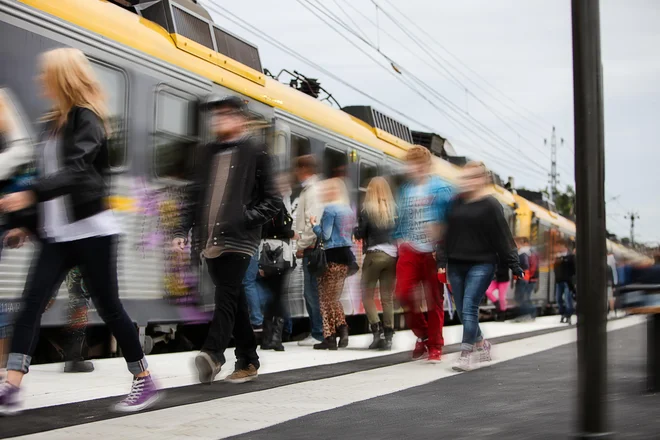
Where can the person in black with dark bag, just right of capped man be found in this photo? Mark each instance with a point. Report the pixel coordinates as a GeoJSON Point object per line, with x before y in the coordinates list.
{"type": "Point", "coordinates": [275, 265]}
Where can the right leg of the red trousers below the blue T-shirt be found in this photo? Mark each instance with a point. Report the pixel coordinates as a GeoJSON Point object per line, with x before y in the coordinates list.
{"type": "Point", "coordinates": [434, 303]}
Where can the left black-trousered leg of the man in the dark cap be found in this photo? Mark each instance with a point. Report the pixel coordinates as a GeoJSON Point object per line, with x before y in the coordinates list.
{"type": "Point", "coordinates": [227, 273]}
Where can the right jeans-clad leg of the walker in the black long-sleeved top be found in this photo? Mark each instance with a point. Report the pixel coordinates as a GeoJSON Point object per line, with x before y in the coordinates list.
{"type": "Point", "coordinates": [476, 282]}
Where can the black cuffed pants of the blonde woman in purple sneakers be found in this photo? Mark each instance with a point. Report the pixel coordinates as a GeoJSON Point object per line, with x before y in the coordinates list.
{"type": "Point", "coordinates": [97, 260]}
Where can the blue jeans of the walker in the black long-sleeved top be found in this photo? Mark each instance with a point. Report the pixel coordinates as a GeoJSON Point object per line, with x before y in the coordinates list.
{"type": "Point", "coordinates": [468, 286]}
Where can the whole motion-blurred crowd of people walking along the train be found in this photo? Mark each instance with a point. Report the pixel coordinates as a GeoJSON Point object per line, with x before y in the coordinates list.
{"type": "Point", "coordinates": [239, 223]}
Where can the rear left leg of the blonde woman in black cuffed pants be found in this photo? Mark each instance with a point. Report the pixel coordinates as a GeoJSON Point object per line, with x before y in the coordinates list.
{"type": "Point", "coordinates": [46, 275]}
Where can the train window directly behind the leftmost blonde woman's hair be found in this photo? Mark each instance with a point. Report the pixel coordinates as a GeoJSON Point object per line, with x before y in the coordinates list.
{"type": "Point", "coordinates": [114, 86]}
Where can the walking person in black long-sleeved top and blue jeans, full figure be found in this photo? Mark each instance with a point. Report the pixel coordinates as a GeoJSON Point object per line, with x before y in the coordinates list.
{"type": "Point", "coordinates": [477, 236]}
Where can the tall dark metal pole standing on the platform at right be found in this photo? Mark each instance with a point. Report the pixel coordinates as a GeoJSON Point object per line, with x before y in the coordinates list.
{"type": "Point", "coordinates": [590, 204]}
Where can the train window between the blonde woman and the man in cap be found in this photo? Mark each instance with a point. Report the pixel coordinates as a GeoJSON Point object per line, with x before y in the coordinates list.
{"type": "Point", "coordinates": [175, 135]}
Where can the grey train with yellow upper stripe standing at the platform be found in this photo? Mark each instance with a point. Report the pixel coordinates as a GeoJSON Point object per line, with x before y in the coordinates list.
{"type": "Point", "coordinates": [157, 63]}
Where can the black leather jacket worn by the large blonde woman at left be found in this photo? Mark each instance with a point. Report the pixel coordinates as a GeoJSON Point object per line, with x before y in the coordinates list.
{"type": "Point", "coordinates": [83, 154]}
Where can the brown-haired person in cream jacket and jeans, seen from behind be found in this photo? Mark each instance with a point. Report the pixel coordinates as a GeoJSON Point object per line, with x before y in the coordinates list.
{"type": "Point", "coordinates": [308, 206]}
